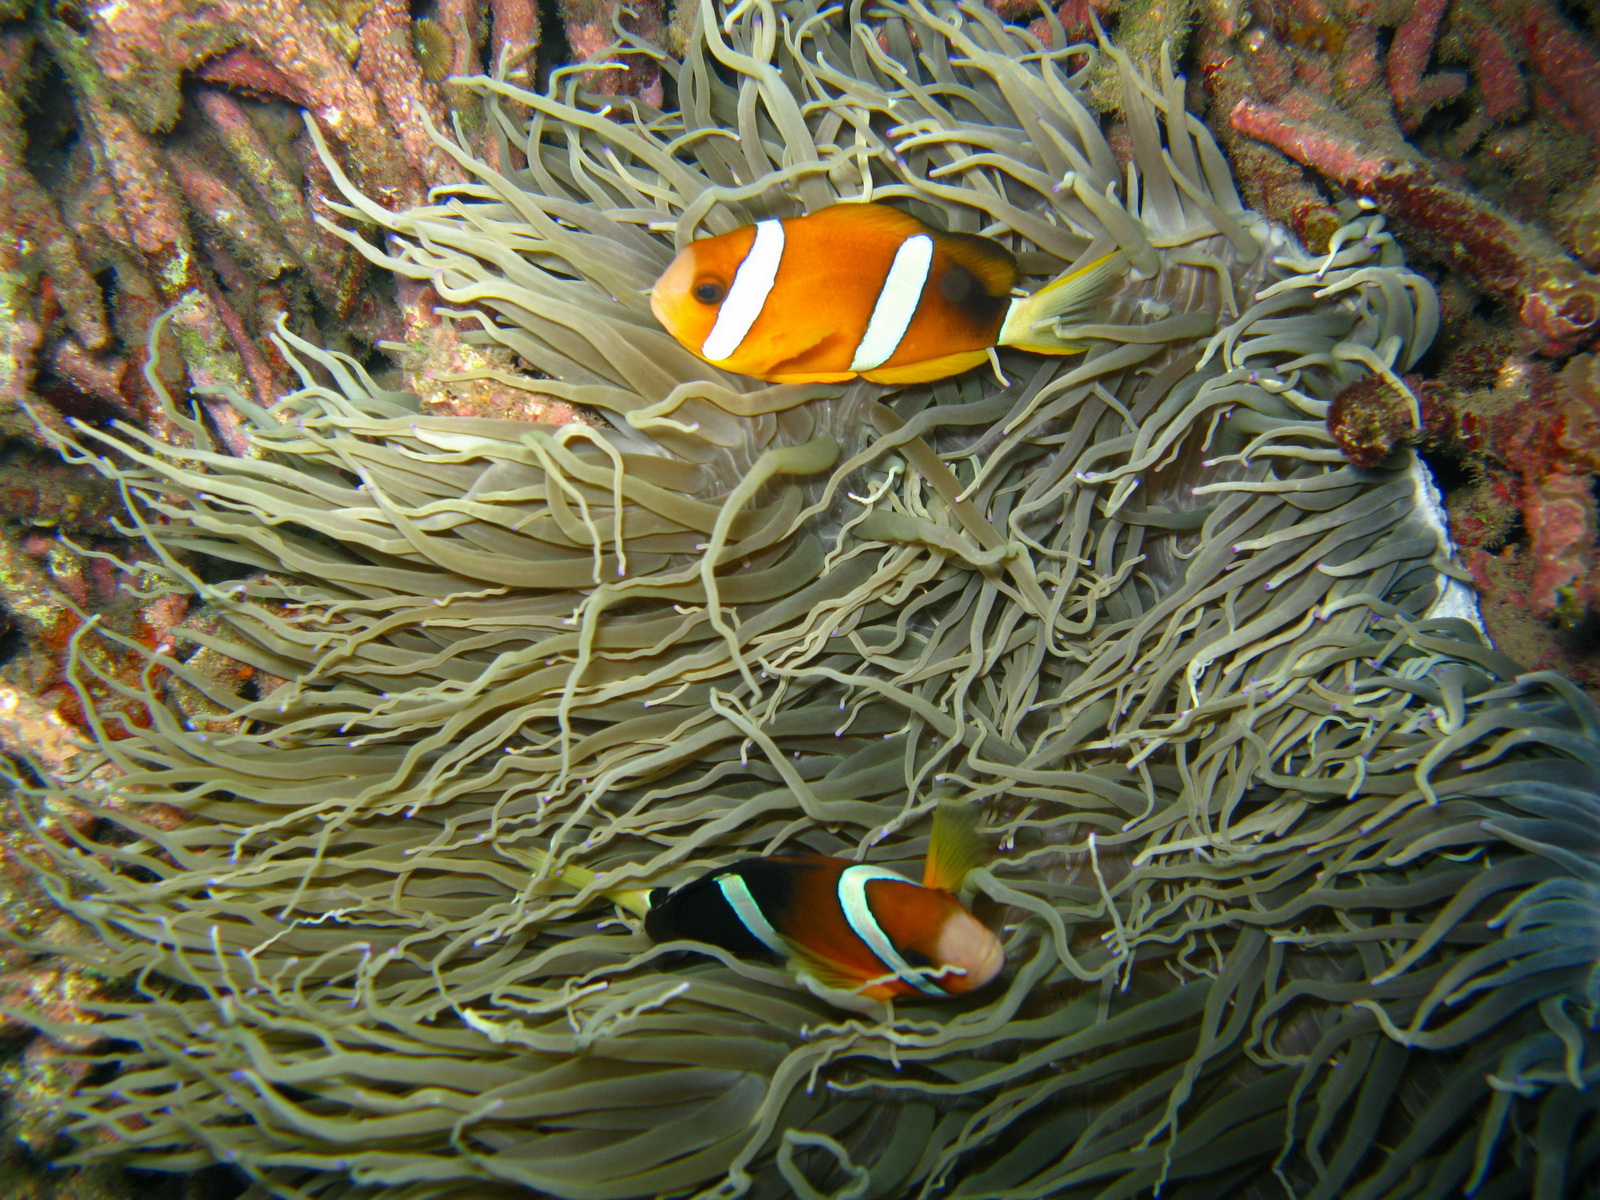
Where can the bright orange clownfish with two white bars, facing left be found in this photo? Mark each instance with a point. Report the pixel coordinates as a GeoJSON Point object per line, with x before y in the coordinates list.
{"type": "Point", "coordinates": [863, 290]}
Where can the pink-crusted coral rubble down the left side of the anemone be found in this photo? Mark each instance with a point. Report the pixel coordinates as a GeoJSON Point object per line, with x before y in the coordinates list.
{"type": "Point", "coordinates": [154, 158]}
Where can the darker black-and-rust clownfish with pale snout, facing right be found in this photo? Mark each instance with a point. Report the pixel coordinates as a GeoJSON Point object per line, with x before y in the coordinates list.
{"type": "Point", "coordinates": [850, 926]}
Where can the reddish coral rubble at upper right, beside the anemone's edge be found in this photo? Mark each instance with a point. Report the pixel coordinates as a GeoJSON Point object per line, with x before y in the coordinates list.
{"type": "Point", "coordinates": [1474, 130]}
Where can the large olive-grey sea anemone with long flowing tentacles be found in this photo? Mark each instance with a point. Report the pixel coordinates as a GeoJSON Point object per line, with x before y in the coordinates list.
{"type": "Point", "coordinates": [1297, 878]}
